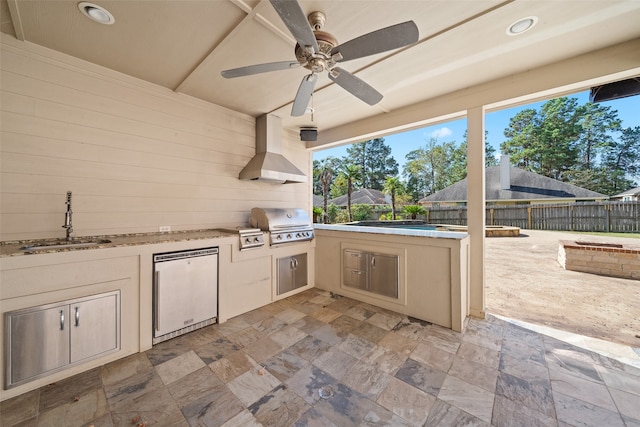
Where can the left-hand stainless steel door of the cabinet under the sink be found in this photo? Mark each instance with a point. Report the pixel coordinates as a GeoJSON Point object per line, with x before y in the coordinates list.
{"type": "Point", "coordinates": [38, 342]}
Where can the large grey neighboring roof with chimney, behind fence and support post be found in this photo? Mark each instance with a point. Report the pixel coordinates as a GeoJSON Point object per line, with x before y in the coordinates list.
{"type": "Point", "coordinates": [524, 186]}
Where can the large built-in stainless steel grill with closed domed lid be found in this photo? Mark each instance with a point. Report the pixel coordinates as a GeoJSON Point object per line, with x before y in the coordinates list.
{"type": "Point", "coordinates": [283, 225]}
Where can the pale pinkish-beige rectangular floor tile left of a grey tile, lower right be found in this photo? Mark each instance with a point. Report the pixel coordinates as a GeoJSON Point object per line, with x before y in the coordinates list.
{"type": "Point", "coordinates": [472, 399]}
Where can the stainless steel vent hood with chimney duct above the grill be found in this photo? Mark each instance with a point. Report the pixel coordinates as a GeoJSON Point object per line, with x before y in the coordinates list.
{"type": "Point", "coordinates": [269, 165]}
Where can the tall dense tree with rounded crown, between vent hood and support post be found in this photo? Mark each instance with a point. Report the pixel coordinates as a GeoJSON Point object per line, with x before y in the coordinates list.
{"type": "Point", "coordinates": [375, 161]}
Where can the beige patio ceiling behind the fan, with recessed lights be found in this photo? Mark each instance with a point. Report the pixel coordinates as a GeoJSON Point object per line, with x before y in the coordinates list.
{"type": "Point", "coordinates": [184, 45]}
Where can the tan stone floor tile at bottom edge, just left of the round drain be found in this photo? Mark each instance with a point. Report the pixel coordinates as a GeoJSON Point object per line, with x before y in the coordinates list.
{"type": "Point", "coordinates": [280, 407]}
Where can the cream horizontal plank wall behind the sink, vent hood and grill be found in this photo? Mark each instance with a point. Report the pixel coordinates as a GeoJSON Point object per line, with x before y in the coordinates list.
{"type": "Point", "coordinates": [136, 156]}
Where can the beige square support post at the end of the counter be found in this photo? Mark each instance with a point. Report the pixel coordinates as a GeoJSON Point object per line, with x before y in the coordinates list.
{"type": "Point", "coordinates": [476, 209]}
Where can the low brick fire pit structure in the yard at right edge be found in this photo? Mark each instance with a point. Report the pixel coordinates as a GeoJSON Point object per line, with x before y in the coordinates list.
{"type": "Point", "coordinates": [606, 259]}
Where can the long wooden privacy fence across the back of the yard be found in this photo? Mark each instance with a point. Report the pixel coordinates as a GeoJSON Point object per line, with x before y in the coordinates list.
{"type": "Point", "coordinates": [614, 217]}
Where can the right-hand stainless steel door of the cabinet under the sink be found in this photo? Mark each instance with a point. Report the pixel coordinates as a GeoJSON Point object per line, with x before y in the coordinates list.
{"type": "Point", "coordinates": [94, 327]}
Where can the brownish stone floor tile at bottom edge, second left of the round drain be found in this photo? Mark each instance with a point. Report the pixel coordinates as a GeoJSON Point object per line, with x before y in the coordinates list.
{"type": "Point", "coordinates": [215, 408]}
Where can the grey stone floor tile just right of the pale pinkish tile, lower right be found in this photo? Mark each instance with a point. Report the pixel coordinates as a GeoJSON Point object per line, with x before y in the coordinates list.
{"type": "Point", "coordinates": [534, 394]}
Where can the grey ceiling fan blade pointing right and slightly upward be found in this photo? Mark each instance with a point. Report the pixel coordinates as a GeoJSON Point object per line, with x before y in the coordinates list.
{"type": "Point", "coordinates": [382, 40]}
